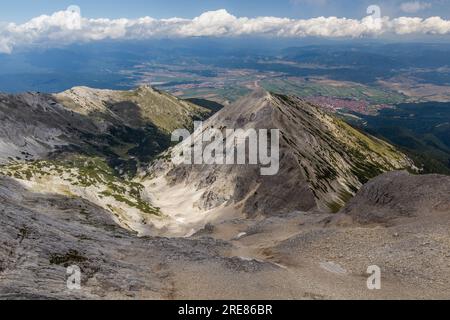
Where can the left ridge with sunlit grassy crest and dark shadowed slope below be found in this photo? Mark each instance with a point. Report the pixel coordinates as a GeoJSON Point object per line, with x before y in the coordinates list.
{"type": "Point", "coordinates": [117, 125]}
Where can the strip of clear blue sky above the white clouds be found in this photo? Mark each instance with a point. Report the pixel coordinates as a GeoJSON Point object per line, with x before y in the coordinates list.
{"type": "Point", "coordinates": [22, 10]}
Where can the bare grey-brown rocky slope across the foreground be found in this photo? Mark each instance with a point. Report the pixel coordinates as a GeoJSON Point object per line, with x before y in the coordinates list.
{"type": "Point", "coordinates": [292, 256]}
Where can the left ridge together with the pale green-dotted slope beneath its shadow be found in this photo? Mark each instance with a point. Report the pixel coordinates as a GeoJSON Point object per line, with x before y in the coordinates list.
{"type": "Point", "coordinates": [89, 143]}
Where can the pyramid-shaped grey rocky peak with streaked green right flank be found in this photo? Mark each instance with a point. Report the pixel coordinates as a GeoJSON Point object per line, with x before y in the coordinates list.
{"type": "Point", "coordinates": [323, 161]}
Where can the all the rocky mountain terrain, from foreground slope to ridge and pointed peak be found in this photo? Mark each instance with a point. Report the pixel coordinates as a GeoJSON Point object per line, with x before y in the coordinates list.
{"type": "Point", "coordinates": [87, 179]}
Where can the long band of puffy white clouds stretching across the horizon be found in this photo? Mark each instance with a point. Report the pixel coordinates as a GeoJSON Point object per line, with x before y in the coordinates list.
{"type": "Point", "coordinates": [65, 27]}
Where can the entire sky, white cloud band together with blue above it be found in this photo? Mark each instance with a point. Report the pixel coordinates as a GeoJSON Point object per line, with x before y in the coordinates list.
{"type": "Point", "coordinates": [58, 22]}
